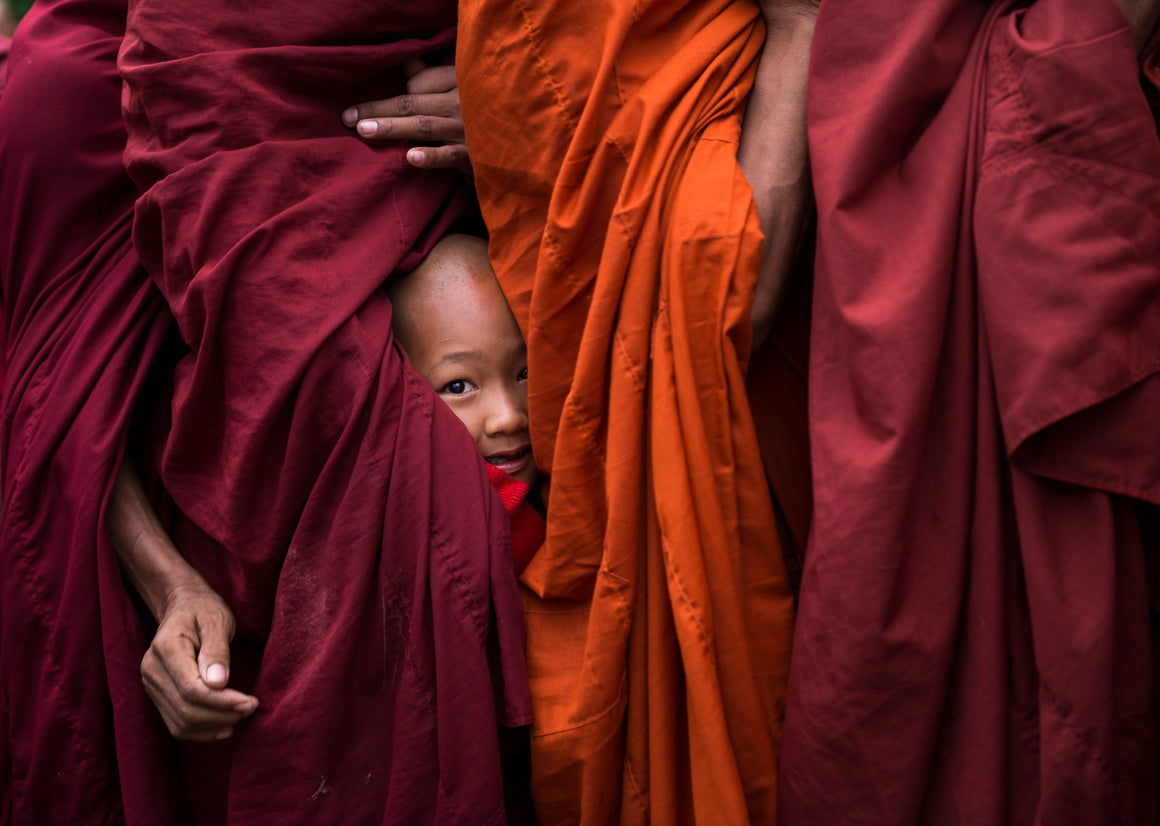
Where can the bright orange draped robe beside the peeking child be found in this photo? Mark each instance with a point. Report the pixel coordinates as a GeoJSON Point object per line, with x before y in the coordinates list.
{"type": "Point", "coordinates": [604, 136]}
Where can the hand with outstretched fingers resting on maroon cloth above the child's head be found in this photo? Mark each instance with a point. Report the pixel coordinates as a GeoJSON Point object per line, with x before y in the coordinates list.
{"type": "Point", "coordinates": [429, 114]}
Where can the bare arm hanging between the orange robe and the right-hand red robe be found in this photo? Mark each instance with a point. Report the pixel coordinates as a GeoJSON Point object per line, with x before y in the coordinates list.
{"type": "Point", "coordinates": [774, 155]}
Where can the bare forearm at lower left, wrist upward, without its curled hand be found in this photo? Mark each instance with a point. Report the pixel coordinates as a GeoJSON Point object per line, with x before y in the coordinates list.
{"type": "Point", "coordinates": [147, 554]}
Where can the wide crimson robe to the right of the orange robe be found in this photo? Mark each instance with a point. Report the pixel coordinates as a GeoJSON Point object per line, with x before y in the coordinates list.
{"type": "Point", "coordinates": [974, 642]}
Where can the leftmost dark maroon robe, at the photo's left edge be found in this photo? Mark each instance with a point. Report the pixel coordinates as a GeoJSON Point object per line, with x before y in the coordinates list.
{"type": "Point", "coordinates": [83, 325]}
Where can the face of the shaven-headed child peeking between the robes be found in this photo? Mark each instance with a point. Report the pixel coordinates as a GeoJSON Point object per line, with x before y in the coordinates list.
{"type": "Point", "coordinates": [466, 343]}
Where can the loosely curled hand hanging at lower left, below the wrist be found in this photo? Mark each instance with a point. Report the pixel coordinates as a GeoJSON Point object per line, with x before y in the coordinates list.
{"type": "Point", "coordinates": [187, 666]}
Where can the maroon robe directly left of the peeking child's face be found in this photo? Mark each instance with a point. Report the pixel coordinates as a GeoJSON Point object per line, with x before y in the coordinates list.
{"type": "Point", "coordinates": [324, 487]}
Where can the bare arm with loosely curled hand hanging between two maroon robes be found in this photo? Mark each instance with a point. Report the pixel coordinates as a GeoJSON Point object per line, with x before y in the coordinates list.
{"type": "Point", "coordinates": [187, 666]}
